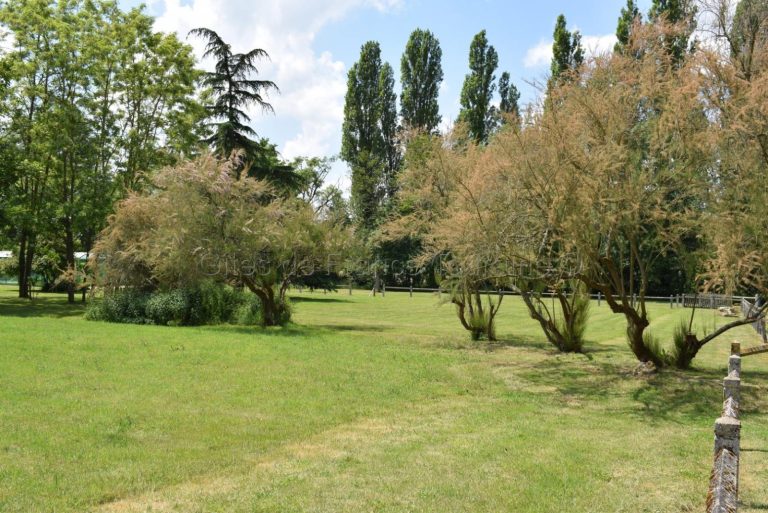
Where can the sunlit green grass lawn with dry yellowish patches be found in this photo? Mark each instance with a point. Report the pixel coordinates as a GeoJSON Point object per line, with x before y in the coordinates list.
{"type": "Point", "coordinates": [363, 405]}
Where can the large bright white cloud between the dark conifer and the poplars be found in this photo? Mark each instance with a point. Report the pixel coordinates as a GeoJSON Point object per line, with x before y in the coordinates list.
{"type": "Point", "coordinates": [312, 85]}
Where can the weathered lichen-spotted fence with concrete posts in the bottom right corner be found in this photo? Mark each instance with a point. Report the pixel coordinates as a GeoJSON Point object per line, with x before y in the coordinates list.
{"type": "Point", "coordinates": [723, 493]}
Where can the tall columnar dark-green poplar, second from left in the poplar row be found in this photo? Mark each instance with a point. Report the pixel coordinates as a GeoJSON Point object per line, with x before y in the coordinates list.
{"type": "Point", "coordinates": [421, 74]}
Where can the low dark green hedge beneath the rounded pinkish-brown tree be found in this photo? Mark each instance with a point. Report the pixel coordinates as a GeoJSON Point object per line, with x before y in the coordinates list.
{"type": "Point", "coordinates": [206, 303]}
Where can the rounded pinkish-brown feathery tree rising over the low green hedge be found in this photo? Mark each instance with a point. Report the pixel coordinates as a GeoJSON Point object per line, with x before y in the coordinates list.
{"type": "Point", "coordinates": [203, 222]}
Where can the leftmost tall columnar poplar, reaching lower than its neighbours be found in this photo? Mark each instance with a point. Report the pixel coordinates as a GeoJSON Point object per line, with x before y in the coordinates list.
{"type": "Point", "coordinates": [369, 142]}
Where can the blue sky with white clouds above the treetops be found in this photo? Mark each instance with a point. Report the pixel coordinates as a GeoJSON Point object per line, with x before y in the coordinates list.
{"type": "Point", "coordinates": [313, 43]}
